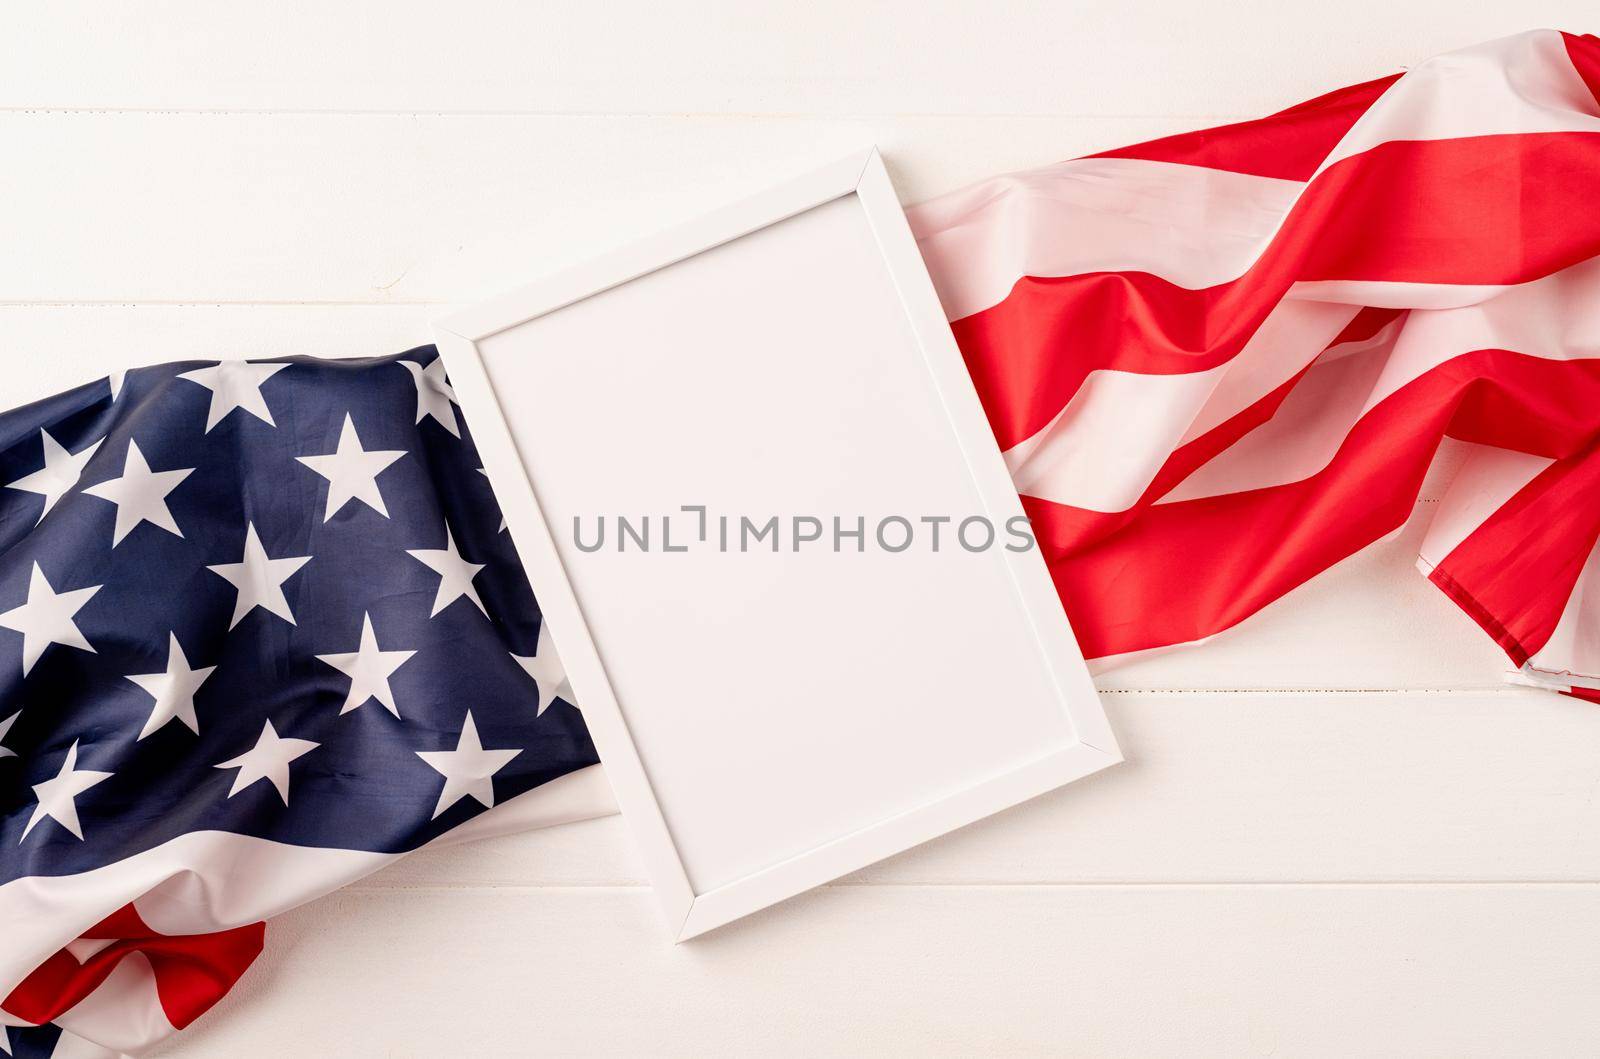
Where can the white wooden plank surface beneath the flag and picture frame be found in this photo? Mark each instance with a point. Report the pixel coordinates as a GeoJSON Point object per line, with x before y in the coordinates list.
{"type": "Point", "coordinates": [1337, 834]}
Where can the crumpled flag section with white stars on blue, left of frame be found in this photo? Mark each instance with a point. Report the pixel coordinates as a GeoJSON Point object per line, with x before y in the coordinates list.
{"type": "Point", "coordinates": [260, 636]}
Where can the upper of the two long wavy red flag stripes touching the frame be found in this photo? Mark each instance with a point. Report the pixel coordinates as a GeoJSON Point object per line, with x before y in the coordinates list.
{"type": "Point", "coordinates": [1479, 210]}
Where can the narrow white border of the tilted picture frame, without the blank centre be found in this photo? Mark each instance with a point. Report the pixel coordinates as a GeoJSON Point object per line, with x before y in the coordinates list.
{"type": "Point", "coordinates": [687, 913]}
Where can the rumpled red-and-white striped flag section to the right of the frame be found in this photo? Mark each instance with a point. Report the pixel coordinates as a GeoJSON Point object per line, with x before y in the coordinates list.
{"type": "Point", "coordinates": [1225, 361]}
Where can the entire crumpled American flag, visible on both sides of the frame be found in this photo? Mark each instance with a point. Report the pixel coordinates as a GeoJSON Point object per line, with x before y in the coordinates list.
{"type": "Point", "coordinates": [1218, 364]}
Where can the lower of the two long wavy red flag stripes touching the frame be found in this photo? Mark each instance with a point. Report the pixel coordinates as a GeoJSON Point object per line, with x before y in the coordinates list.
{"type": "Point", "coordinates": [1190, 570]}
